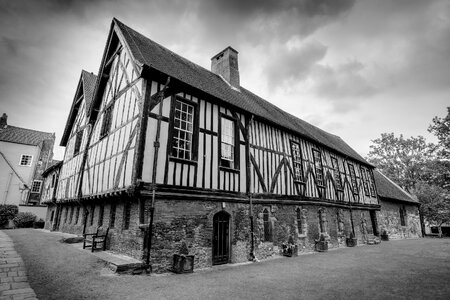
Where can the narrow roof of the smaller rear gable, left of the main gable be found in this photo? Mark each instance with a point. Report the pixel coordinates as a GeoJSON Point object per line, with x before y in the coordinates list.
{"type": "Point", "coordinates": [87, 81]}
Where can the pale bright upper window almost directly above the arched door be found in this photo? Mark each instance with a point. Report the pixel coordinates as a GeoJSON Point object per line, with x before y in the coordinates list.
{"type": "Point", "coordinates": [228, 140]}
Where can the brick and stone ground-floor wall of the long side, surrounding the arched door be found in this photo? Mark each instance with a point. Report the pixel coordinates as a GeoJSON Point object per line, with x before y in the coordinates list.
{"type": "Point", "coordinates": [192, 222]}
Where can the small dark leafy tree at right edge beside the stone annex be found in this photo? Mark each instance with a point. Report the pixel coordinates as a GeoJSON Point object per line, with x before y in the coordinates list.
{"type": "Point", "coordinates": [435, 204]}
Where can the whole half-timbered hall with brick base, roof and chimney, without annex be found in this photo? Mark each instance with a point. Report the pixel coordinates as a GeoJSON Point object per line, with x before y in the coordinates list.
{"type": "Point", "coordinates": [163, 151]}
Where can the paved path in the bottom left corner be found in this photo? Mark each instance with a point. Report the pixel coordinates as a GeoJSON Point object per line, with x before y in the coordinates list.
{"type": "Point", "coordinates": [13, 277]}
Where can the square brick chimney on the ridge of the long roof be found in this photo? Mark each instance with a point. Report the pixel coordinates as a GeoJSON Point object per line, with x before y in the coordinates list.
{"type": "Point", "coordinates": [226, 65]}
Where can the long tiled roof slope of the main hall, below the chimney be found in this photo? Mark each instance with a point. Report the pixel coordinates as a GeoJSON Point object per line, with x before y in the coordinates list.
{"type": "Point", "coordinates": [149, 53]}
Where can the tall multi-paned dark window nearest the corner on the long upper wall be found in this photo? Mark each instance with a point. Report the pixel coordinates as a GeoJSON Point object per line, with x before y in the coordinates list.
{"type": "Point", "coordinates": [183, 129]}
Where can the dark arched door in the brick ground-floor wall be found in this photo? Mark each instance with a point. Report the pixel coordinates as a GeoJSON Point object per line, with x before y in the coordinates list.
{"type": "Point", "coordinates": [221, 238]}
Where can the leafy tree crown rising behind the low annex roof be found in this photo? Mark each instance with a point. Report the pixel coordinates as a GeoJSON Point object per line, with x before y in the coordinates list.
{"type": "Point", "coordinates": [405, 161]}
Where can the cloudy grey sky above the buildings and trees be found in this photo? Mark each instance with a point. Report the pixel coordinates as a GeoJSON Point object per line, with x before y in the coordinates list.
{"type": "Point", "coordinates": [353, 68]}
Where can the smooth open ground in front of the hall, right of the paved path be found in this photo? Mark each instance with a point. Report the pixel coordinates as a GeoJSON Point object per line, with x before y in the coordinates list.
{"type": "Point", "coordinates": [412, 269]}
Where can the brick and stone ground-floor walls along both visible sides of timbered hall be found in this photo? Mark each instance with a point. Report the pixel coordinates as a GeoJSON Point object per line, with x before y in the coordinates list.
{"type": "Point", "coordinates": [191, 222]}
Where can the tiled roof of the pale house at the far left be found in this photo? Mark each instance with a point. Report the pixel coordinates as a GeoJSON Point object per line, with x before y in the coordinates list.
{"type": "Point", "coordinates": [24, 136]}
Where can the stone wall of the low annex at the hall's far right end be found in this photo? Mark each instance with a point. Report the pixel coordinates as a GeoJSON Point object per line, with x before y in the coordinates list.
{"type": "Point", "coordinates": [389, 220]}
